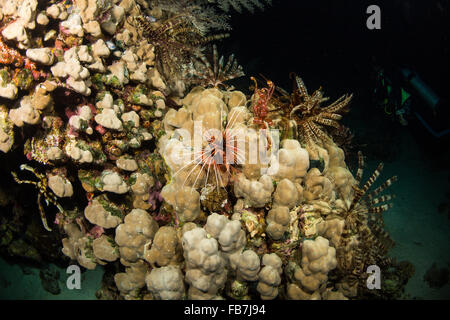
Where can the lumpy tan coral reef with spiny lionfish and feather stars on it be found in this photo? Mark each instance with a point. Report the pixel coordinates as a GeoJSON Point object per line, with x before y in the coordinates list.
{"type": "Point", "coordinates": [159, 167]}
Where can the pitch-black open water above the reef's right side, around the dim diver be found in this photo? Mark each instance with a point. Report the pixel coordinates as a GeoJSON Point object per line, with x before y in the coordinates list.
{"type": "Point", "coordinates": [328, 44]}
